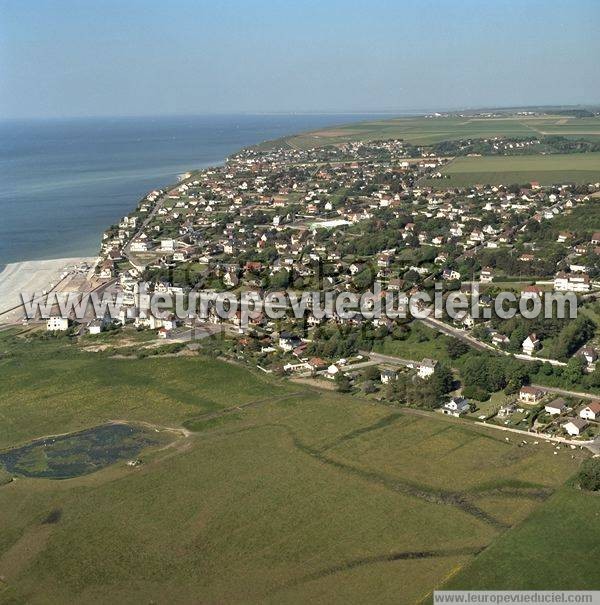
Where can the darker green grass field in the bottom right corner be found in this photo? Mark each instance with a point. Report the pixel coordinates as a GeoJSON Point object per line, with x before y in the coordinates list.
{"type": "Point", "coordinates": [550, 550]}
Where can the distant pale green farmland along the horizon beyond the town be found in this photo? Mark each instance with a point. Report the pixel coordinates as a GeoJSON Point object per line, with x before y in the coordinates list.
{"type": "Point", "coordinates": [433, 130]}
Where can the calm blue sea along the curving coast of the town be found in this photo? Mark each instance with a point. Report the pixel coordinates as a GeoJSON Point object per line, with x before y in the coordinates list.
{"type": "Point", "coordinates": [63, 182]}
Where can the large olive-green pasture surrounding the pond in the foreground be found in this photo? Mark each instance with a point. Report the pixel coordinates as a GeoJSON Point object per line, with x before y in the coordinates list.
{"type": "Point", "coordinates": [301, 495]}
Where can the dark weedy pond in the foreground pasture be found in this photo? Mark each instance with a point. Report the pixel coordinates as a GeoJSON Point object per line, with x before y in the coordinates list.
{"type": "Point", "coordinates": [77, 453]}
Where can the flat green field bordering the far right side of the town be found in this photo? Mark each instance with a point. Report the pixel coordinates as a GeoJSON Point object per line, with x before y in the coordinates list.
{"type": "Point", "coordinates": [496, 170]}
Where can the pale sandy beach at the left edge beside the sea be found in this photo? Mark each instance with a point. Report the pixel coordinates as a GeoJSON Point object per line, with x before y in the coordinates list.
{"type": "Point", "coordinates": [34, 276]}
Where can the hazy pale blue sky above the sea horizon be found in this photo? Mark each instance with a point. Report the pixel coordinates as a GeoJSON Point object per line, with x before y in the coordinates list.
{"type": "Point", "coordinates": [137, 57]}
